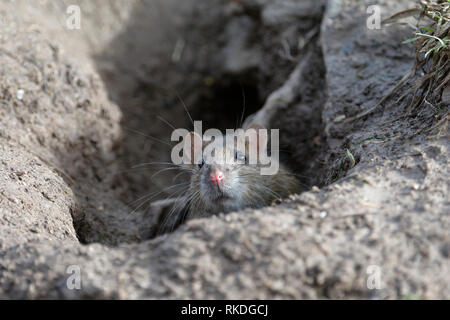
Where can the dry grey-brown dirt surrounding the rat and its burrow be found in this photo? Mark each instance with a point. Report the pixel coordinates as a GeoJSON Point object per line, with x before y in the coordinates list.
{"type": "Point", "coordinates": [77, 107]}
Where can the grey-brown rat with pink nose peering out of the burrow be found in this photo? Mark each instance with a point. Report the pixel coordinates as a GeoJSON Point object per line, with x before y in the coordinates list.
{"type": "Point", "coordinates": [222, 187]}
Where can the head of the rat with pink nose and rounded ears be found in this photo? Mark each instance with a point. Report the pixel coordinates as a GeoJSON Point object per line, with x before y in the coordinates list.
{"type": "Point", "coordinates": [222, 179]}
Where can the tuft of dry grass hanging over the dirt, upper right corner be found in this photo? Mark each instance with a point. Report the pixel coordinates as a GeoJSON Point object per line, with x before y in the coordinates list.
{"type": "Point", "coordinates": [429, 77]}
